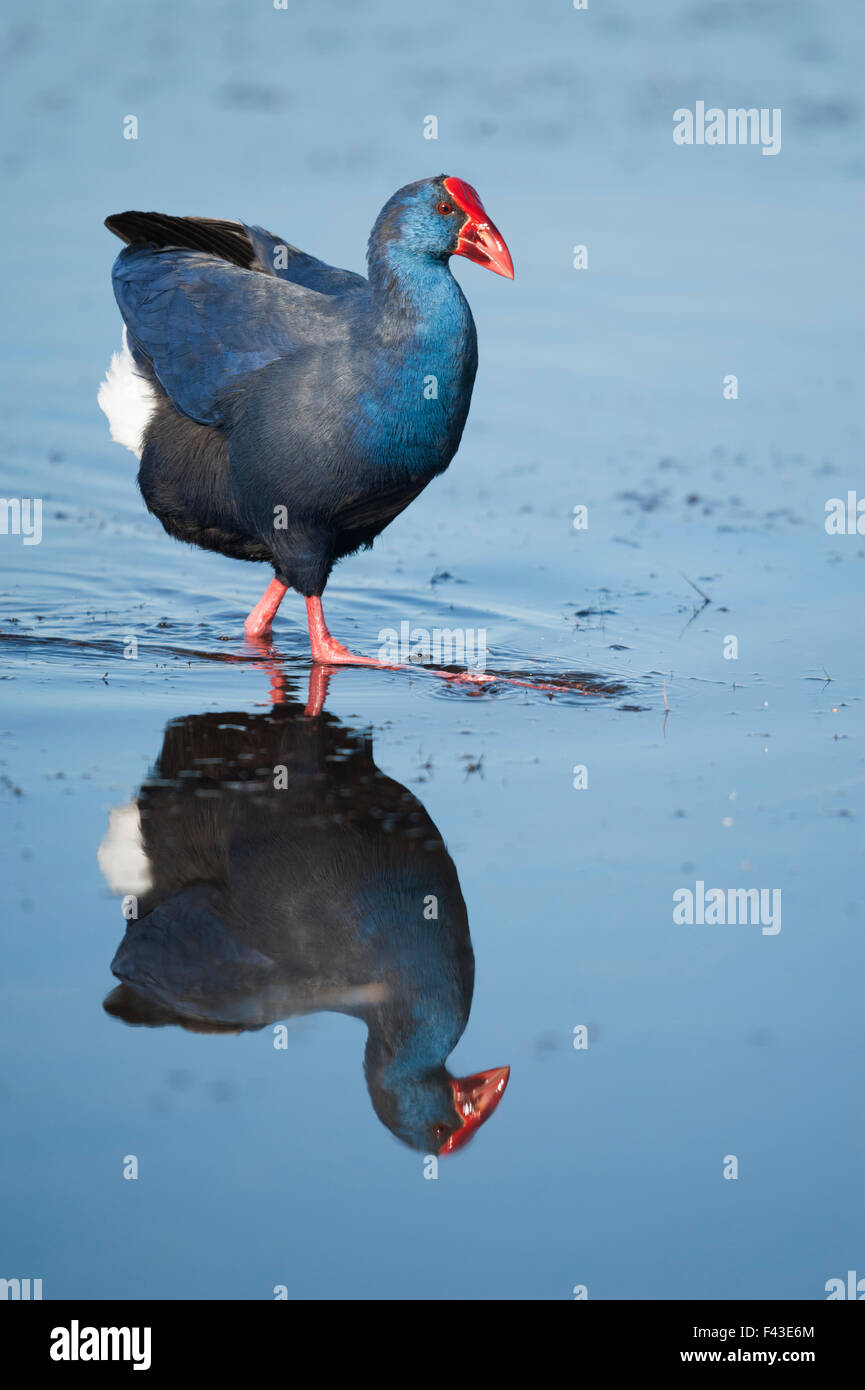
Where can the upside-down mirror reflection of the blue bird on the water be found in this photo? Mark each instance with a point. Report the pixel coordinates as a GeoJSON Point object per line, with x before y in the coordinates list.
{"type": "Point", "coordinates": [276, 872]}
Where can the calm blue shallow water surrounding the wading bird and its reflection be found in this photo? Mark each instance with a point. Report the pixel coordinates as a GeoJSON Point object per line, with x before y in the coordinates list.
{"type": "Point", "coordinates": [604, 1166]}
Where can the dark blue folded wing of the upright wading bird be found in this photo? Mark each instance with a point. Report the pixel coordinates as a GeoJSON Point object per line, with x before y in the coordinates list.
{"type": "Point", "coordinates": [205, 325]}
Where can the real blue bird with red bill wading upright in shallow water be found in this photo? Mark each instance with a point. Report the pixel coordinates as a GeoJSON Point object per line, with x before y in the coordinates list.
{"type": "Point", "coordinates": [286, 411]}
